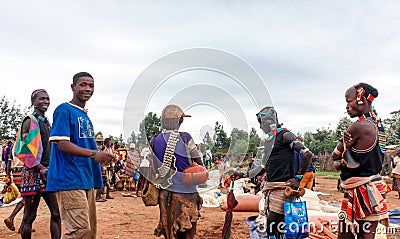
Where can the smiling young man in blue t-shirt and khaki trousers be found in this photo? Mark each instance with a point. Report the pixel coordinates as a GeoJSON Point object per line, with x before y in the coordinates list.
{"type": "Point", "coordinates": [75, 170]}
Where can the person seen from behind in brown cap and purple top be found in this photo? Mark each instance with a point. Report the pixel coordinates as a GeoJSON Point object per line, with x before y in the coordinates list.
{"type": "Point", "coordinates": [179, 203]}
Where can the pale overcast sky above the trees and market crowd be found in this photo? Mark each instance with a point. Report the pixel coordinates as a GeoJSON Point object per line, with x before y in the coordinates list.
{"type": "Point", "coordinates": [307, 54]}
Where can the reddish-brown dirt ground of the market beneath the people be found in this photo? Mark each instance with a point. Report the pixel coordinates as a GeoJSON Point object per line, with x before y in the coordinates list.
{"type": "Point", "coordinates": [127, 217]}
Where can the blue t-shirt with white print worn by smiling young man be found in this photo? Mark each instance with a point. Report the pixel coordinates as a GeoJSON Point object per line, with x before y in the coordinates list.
{"type": "Point", "coordinates": [68, 172]}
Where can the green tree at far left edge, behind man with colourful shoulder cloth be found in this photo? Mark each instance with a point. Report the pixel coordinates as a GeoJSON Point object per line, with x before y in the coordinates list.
{"type": "Point", "coordinates": [11, 116]}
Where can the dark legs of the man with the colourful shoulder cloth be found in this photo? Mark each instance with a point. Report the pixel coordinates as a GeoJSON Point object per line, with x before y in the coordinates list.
{"type": "Point", "coordinates": [30, 211]}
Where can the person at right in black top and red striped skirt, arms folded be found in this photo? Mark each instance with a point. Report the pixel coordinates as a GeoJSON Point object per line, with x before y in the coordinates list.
{"type": "Point", "coordinates": [364, 198]}
